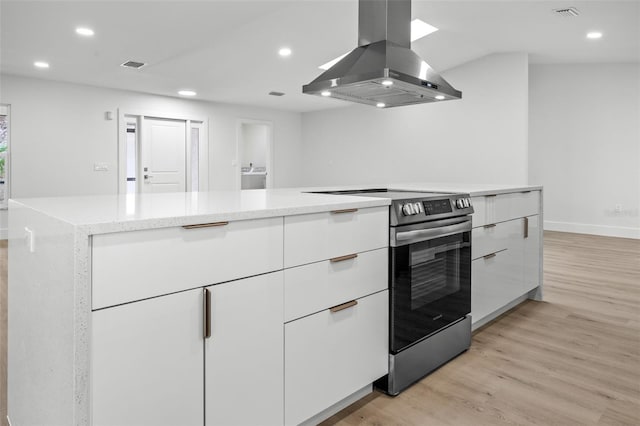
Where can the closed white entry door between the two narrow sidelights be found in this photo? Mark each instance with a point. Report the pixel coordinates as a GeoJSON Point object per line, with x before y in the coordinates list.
{"type": "Point", "coordinates": [163, 156]}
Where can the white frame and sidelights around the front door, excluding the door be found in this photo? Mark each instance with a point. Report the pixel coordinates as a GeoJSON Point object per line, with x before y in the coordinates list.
{"type": "Point", "coordinates": [201, 123]}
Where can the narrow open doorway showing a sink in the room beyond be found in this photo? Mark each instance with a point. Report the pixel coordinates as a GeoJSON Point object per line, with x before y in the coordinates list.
{"type": "Point", "coordinates": [255, 150]}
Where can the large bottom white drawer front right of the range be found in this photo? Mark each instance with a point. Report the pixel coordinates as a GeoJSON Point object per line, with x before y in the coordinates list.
{"type": "Point", "coordinates": [496, 281]}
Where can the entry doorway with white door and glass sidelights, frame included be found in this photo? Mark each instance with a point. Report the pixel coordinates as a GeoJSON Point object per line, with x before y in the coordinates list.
{"type": "Point", "coordinates": [162, 154]}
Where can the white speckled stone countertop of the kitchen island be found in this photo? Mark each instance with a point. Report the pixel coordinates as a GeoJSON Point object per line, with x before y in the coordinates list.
{"type": "Point", "coordinates": [98, 214]}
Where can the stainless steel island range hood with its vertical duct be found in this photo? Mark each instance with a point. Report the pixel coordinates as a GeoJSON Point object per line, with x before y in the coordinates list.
{"type": "Point", "coordinates": [383, 55]}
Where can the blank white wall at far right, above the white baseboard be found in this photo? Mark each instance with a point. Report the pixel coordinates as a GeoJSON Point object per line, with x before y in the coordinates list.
{"type": "Point", "coordinates": [584, 146]}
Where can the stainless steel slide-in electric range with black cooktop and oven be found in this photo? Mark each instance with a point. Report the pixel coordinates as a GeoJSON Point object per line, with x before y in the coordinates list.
{"type": "Point", "coordinates": [429, 282]}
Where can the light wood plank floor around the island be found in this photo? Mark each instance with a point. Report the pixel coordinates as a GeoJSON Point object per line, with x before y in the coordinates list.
{"type": "Point", "coordinates": [573, 359]}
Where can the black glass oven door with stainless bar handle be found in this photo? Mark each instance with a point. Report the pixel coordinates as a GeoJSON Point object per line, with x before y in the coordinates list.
{"type": "Point", "coordinates": [430, 278]}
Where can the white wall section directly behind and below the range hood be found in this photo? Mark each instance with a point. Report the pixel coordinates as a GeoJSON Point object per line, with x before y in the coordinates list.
{"type": "Point", "coordinates": [480, 139]}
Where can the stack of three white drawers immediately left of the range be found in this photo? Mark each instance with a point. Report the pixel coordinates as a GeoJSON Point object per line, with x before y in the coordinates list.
{"type": "Point", "coordinates": [336, 308]}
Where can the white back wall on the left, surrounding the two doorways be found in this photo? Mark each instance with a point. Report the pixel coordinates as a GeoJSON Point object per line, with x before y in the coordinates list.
{"type": "Point", "coordinates": [59, 130]}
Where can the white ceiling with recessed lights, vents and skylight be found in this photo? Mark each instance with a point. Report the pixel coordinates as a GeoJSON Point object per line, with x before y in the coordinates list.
{"type": "Point", "coordinates": [227, 51]}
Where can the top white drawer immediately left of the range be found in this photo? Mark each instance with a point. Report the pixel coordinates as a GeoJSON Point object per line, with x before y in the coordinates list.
{"type": "Point", "coordinates": [321, 236]}
